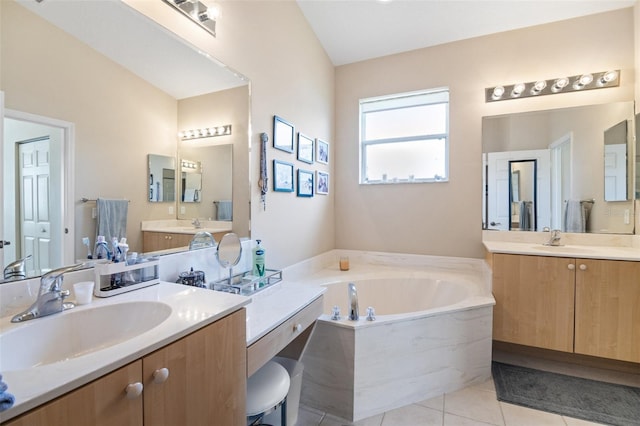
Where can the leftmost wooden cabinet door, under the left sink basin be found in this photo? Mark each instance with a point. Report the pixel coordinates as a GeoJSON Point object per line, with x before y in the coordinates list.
{"type": "Point", "coordinates": [102, 402]}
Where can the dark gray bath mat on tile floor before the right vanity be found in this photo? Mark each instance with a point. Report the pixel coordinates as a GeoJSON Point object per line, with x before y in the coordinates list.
{"type": "Point", "coordinates": [570, 396]}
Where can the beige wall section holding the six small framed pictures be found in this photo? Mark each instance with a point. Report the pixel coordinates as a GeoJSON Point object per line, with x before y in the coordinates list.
{"type": "Point", "coordinates": [291, 76]}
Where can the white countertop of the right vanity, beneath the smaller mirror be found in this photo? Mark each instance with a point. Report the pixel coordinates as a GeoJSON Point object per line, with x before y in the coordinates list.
{"type": "Point", "coordinates": [569, 250]}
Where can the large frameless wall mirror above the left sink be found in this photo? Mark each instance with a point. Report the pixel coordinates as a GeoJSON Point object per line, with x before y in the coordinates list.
{"type": "Point", "coordinates": [125, 87]}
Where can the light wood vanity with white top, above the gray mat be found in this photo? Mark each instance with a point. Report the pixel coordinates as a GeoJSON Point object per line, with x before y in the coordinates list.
{"type": "Point", "coordinates": [575, 299]}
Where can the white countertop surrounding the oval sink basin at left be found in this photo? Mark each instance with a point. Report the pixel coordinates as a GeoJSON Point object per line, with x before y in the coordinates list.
{"type": "Point", "coordinates": [191, 308]}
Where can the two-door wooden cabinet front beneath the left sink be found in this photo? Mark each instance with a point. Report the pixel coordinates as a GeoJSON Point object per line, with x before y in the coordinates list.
{"type": "Point", "coordinates": [206, 385]}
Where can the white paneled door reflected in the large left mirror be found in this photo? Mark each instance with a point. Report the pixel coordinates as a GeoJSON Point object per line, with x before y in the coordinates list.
{"type": "Point", "coordinates": [35, 209]}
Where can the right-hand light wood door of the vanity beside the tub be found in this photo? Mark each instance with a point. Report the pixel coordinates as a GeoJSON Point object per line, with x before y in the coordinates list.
{"type": "Point", "coordinates": [608, 309]}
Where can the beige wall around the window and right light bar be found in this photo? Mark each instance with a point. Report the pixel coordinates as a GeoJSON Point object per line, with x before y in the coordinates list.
{"type": "Point", "coordinates": [445, 218]}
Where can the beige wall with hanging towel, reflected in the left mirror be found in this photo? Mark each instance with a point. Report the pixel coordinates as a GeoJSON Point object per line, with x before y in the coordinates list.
{"type": "Point", "coordinates": [47, 72]}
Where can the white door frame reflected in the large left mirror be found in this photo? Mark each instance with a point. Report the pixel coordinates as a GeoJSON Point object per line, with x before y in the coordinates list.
{"type": "Point", "coordinates": [67, 176]}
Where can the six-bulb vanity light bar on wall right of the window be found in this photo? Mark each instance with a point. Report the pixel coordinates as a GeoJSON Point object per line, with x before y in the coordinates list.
{"type": "Point", "coordinates": [575, 83]}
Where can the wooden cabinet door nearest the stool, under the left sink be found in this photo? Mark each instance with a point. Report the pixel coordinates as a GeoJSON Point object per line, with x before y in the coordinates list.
{"type": "Point", "coordinates": [207, 377]}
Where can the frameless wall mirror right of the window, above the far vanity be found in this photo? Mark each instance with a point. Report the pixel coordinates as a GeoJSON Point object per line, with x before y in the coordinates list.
{"type": "Point", "coordinates": [570, 187]}
